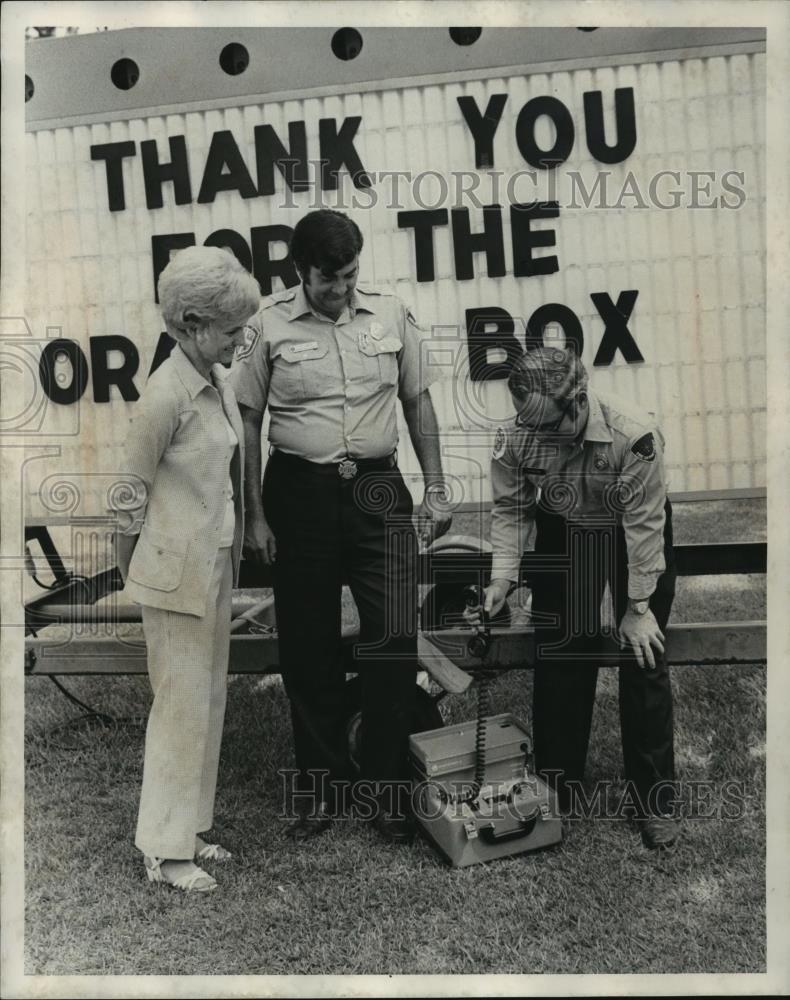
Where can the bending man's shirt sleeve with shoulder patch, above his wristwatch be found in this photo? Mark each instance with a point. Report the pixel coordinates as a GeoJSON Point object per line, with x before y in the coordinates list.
{"type": "Point", "coordinates": [644, 493]}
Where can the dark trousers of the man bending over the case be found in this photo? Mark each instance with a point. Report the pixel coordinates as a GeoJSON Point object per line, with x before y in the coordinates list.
{"type": "Point", "coordinates": [566, 675]}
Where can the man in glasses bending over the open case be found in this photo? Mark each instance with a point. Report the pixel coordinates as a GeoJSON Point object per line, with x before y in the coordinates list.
{"type": "Point", "coordinates": [587, 470]}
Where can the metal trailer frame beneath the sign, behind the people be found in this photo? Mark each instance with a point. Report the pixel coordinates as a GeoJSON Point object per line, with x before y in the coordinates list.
{"type": "Point", "coordinates": [93, 647]}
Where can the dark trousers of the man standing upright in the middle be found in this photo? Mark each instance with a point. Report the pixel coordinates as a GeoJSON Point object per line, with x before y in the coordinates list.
{"type": "Point", "coordinates": [329, 531]}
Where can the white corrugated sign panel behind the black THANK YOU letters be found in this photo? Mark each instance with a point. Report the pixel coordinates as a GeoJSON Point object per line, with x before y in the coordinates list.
{"type": "Point", "coordinates": [698, 319]}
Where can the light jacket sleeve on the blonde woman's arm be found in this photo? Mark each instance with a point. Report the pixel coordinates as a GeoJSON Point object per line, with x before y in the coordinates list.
{"type": "Point", "coordinates": [151, 429]}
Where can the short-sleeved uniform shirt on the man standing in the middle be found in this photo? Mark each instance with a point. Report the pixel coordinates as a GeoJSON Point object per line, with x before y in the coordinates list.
{"type": "Point", "coordinates": [330, 385]}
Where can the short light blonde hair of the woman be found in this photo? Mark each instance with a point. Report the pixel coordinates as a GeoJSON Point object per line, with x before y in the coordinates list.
{"type": "Point", "coordinates": [206, 286]}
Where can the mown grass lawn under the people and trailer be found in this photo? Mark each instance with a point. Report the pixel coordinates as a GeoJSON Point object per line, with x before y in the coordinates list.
{"type": "Point", "coordinates": [347, 902]}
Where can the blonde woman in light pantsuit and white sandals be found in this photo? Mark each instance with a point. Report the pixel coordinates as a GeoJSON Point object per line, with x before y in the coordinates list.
{"type": "Point", "coordinates": [179, 552]}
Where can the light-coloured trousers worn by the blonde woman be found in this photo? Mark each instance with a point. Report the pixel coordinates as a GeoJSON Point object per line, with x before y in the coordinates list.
{"type": "Point", "coordinates": [188, 670]}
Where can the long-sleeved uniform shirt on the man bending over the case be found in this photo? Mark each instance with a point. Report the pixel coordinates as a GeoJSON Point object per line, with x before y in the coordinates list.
{"type": "Point", "coordinates": [615, 472]}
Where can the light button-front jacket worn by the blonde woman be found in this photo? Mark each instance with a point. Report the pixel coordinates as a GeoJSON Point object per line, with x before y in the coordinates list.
{"type": "Point", "coordinates": [178, 455]}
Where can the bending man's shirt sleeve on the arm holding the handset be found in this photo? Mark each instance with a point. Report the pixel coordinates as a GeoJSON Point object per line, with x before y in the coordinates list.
{"type": "Point", "coordinates": [511, 516]}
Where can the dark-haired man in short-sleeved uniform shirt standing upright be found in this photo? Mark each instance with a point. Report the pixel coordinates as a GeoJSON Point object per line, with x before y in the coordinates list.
{"type": "Point", "coordinates": [329, 360]}
